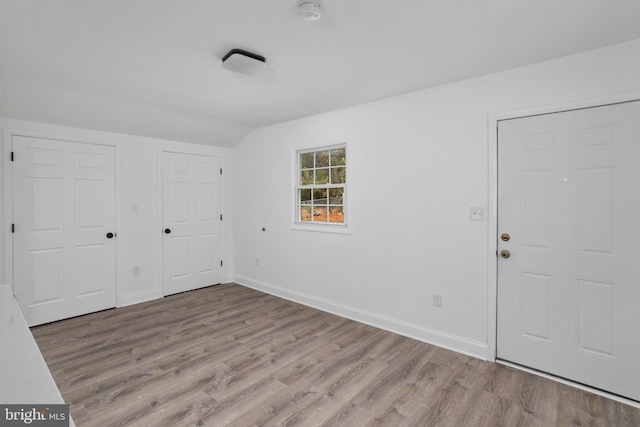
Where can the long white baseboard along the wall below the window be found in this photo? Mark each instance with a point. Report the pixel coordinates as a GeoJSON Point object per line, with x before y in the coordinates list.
{"type": "Point", "coordinates": [441, 339]}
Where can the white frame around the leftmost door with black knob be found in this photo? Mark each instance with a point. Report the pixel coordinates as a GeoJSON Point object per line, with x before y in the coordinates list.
{"type": "Point", "coordinates": [7, 192]}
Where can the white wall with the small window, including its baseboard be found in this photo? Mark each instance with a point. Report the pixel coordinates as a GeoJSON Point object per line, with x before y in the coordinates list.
{"type": "Point", "coordinates": [417, 162]}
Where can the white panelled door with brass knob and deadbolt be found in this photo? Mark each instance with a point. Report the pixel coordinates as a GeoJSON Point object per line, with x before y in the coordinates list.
{"type": "Point", "coordinates": [569, 197]}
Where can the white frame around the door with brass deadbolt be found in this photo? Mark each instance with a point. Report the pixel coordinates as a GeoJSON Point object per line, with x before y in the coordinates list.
{"type": "Point", "coordinates": [492, 211]}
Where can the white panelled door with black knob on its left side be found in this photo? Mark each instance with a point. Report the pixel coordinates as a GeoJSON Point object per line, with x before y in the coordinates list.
{"type": "Point", "coordinates": [192, 216]}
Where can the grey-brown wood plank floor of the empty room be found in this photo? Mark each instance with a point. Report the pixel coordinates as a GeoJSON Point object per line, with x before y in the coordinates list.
{"type": "Point", "coordinates": [229, 355]}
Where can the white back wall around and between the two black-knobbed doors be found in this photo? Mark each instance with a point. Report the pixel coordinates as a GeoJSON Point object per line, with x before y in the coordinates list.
{"type": "Point", "coordinates": [138, 181]}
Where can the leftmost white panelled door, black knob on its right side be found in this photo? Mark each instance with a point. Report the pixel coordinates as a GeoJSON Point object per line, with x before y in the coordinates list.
{"type": "Point", "coordinates": [63, 209]}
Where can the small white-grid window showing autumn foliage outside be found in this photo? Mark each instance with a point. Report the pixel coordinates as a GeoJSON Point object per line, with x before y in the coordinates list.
{"type": "Point", "coordinates": [321, 185]}
